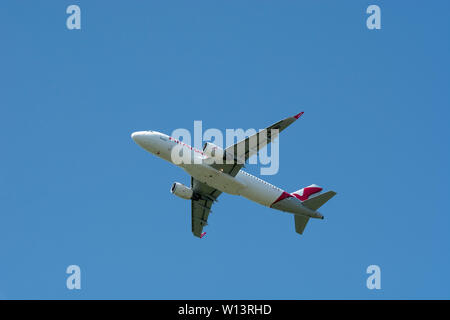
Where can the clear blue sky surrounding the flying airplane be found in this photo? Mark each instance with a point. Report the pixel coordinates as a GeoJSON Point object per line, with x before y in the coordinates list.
{"type": "Point", "coordinates": [75, 189]}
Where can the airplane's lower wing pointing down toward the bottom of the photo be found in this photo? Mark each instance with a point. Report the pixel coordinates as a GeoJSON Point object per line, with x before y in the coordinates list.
{"type": "Point", "coordinates": [201, 207]}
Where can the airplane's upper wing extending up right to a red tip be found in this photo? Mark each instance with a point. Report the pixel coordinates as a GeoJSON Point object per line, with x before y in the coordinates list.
{"type": "Point", "coordinates": [243, 150]}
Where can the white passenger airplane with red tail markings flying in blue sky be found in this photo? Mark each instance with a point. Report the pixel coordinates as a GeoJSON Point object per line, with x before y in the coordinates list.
{"type": "Point", "coordinates": [210, 178]}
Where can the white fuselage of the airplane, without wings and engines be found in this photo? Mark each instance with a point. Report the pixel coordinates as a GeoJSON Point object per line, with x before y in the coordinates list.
{"type": "Point", "coordinates": [243, 184]}
